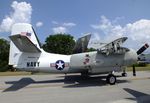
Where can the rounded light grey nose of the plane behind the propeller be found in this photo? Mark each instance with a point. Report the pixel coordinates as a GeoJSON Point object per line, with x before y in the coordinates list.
{"type": "Point", "coordinates": [130, 57]}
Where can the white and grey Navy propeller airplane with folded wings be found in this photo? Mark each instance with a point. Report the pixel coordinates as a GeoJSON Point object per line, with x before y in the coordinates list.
{"type": "Point", "coordinates": [26, 54]}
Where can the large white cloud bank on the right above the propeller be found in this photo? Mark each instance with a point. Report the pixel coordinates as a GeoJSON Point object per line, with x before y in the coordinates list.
{"type": "Point", "coordinates": [137, 32]}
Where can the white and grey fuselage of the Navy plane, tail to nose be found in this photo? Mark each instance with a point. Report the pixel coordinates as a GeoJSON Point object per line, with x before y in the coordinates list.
{"type": "Point", "coordinates": [94, 62]}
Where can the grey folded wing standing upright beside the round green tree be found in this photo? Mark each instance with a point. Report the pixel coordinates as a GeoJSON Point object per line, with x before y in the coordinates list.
{"type": "Point", "coordinates": [81, 44]}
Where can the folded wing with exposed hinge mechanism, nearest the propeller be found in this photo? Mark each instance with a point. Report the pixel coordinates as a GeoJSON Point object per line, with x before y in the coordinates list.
{"type": "Point", "coordinates": [114, 46]}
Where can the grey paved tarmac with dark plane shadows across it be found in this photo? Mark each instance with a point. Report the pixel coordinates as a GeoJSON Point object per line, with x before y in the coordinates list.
{"type": "Point", "coordinates": [74, 89]}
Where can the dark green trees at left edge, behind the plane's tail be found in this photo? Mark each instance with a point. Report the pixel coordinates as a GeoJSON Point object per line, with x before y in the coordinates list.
{"type": "Point", "coordinates": [4, 54]}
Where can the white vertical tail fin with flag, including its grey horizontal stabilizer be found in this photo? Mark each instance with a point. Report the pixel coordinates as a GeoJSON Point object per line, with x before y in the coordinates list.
{"type": "Point", "coordinates": [23, 39]}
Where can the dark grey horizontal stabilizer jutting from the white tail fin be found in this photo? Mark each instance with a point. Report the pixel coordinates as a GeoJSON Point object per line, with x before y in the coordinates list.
{"type": "Point", "coordinates": [24, 44]}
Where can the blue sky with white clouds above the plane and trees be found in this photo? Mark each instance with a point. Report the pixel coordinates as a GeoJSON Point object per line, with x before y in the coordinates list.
{"type": "Point", "coordinates": [106, 20]}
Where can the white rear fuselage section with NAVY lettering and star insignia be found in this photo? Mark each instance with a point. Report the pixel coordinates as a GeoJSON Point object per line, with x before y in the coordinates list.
{"type": "Point", "coordinates": [45, 62]}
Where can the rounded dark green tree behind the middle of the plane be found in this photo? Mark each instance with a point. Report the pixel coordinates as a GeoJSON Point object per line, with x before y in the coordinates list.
{"type": "Point", "coordinates": [59, 43]}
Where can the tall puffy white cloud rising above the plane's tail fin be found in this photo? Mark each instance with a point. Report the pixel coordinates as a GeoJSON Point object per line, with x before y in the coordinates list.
{"type": "Point", "coordinates": [21, 14]}
